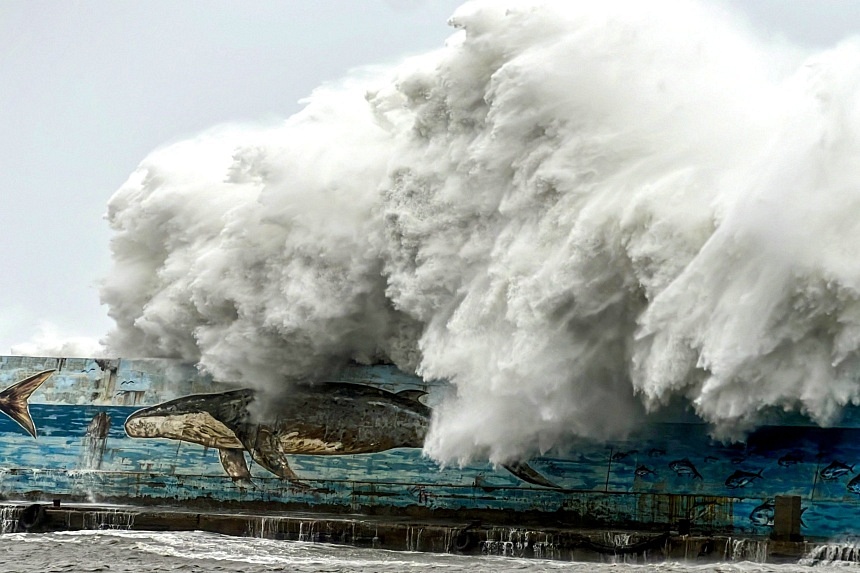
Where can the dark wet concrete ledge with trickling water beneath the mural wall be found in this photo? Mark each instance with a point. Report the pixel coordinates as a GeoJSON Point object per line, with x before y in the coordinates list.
{"type": "Point", "coordinates": [403, 534]}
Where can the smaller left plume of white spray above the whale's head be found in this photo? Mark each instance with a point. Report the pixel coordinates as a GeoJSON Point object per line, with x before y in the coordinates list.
{"type": "Point", "coordinates": [248, 250]}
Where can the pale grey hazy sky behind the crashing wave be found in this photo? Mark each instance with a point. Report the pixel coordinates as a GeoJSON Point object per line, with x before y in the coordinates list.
{"type": "Point", "coordinates": [88, 88]}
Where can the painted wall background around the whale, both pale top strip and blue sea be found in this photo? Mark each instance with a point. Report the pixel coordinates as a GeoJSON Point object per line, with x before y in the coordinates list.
{"type": "Point", "coordinates": [667, 472]}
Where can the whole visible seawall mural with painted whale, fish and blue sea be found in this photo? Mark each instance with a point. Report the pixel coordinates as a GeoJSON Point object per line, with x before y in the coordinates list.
{"type": "Point", "coordinates": [157, 431]}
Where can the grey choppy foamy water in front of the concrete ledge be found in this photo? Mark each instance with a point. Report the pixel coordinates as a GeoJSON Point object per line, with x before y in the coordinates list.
{"type": "Point", "coordinates": [135, 551]}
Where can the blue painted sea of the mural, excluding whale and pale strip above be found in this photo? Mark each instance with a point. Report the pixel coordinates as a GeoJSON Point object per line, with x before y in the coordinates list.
{"type": "Point", "coordinates": [660, 459]}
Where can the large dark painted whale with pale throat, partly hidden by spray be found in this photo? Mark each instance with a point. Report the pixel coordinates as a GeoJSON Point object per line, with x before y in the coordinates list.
{"type": "Point", "coordinates": [322, 419]}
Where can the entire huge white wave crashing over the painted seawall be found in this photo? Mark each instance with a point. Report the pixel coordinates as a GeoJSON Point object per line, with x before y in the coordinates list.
{"type": "Point", "coordinates": [576, 214]}
